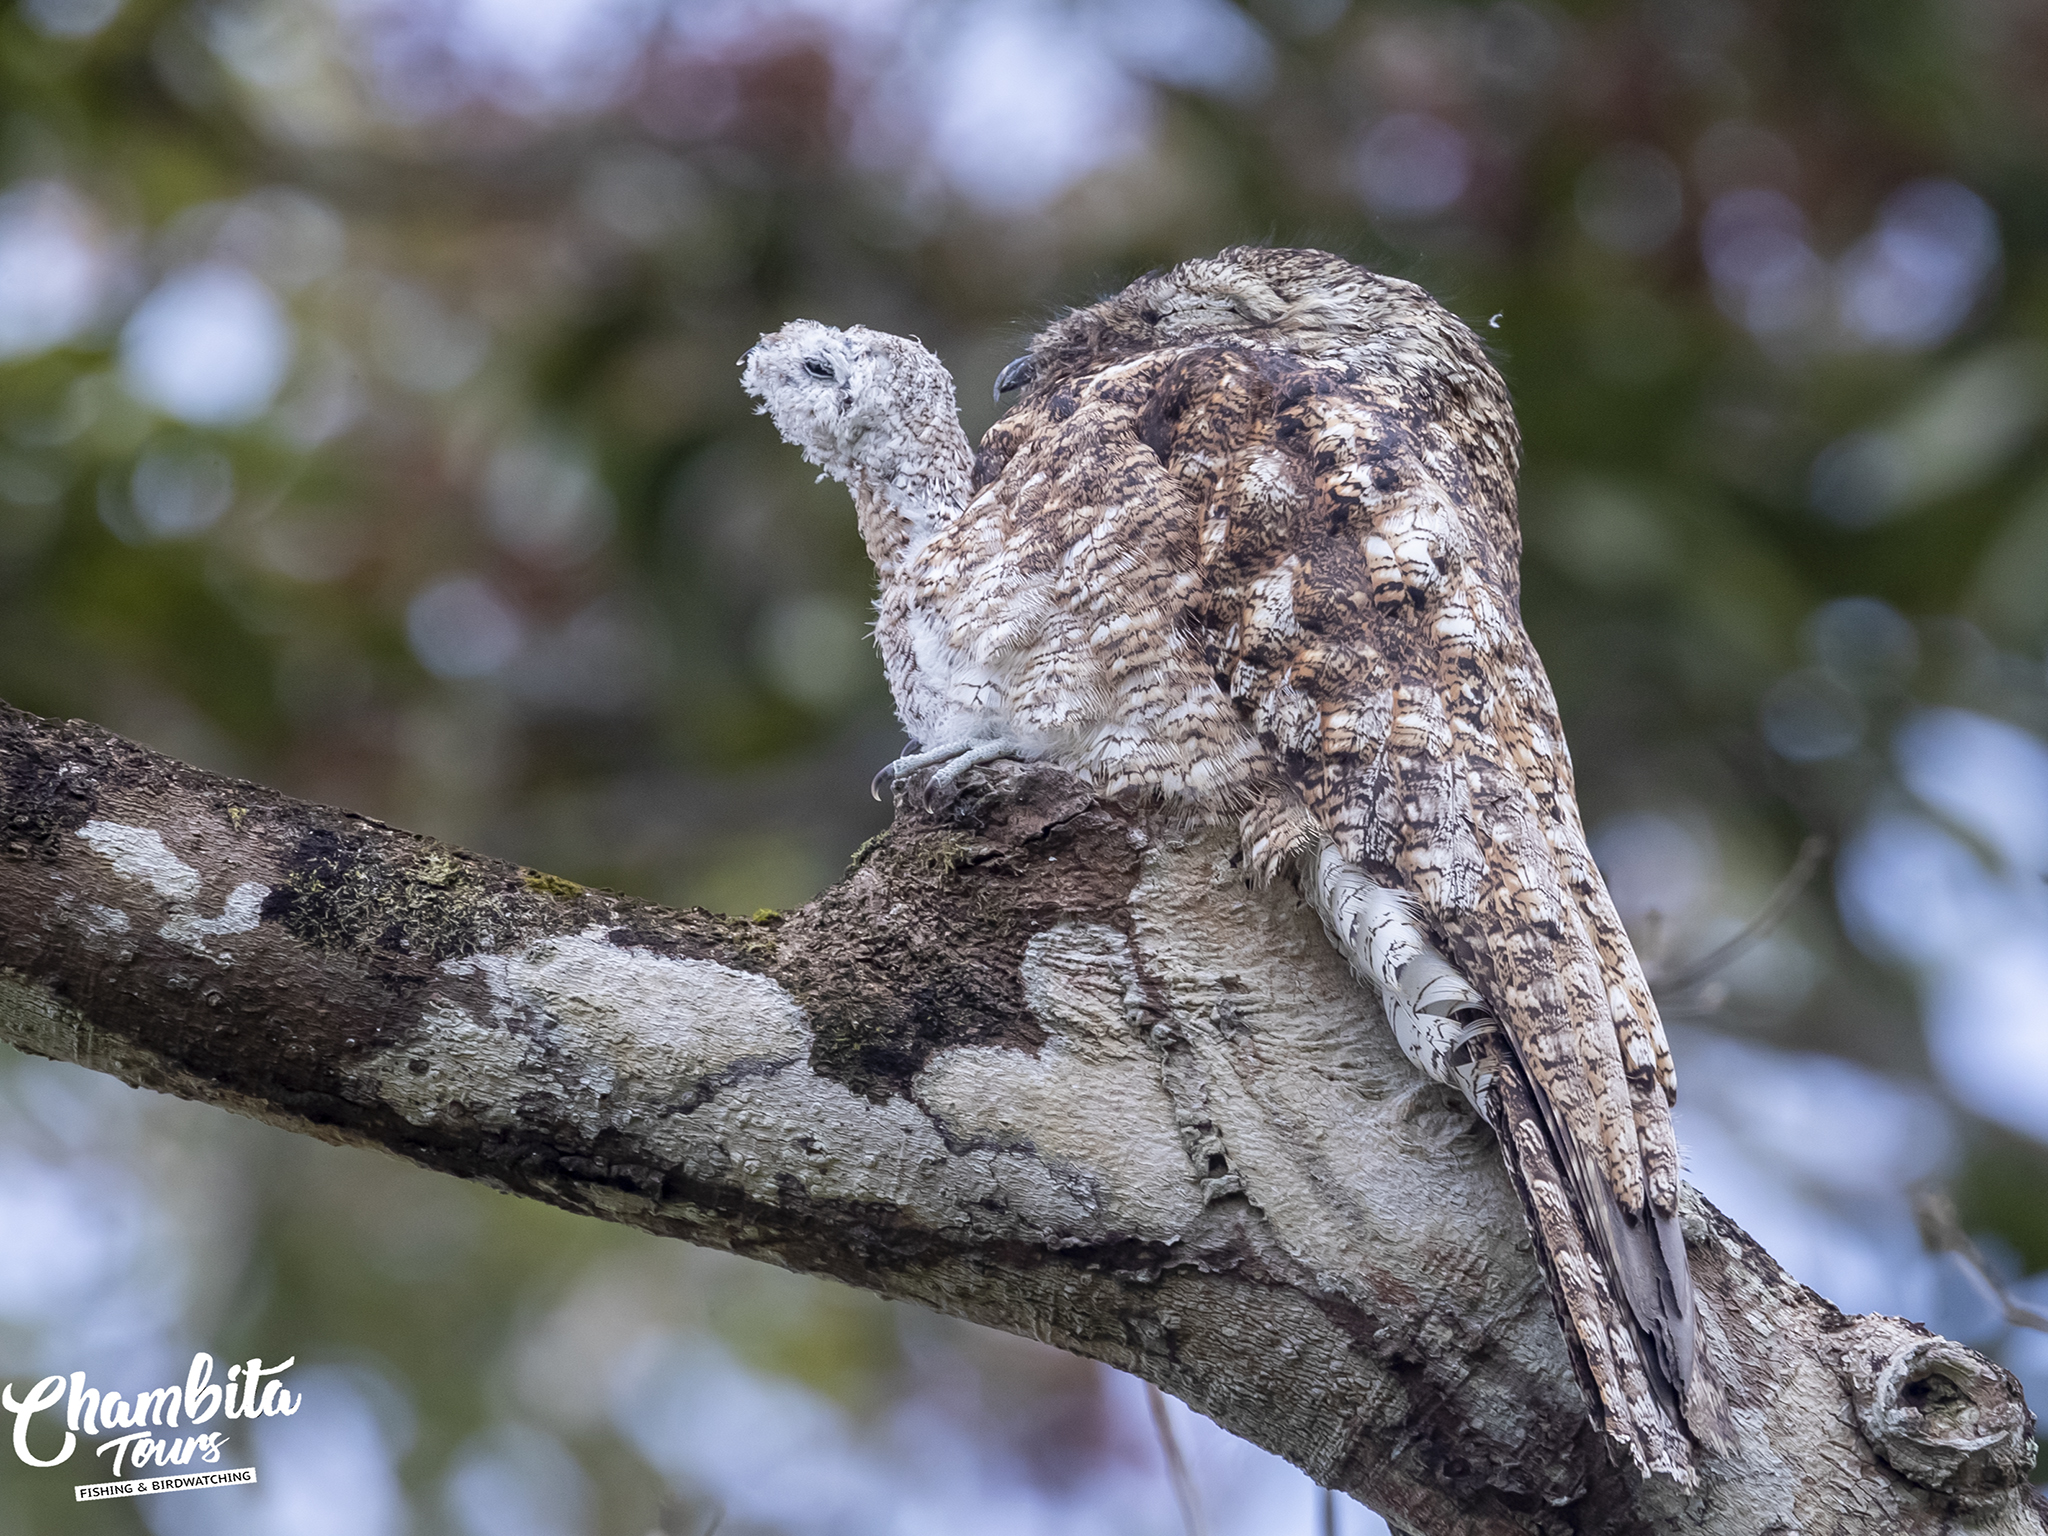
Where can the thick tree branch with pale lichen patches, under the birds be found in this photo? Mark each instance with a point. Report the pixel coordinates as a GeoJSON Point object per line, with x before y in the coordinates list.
{"type": "Point", "coordinates": [1037, 1062]}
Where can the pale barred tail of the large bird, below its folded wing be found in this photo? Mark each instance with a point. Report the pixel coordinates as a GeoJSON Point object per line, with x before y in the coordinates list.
{"type": "Point", "coordinates": [1613, 1279]}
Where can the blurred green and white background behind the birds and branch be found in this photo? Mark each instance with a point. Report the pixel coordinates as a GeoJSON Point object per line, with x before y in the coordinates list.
{"type": "Point", "coordinates": [370, 427]}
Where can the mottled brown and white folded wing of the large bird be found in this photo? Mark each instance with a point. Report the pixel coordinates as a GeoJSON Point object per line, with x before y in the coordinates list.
{"type": "Point", "coordinates": [1361, 603]}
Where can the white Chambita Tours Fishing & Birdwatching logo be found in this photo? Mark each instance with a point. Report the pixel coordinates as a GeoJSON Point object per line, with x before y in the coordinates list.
{"type": "Point", "coordinates": [253, 1392]}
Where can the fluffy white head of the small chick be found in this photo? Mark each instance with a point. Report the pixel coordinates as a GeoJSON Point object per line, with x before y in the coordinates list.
{"type": "Point", "coordinates": [857, 402]}
